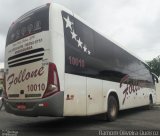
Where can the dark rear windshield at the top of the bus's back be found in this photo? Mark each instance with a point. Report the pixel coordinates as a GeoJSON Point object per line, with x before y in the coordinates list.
{"type": "Point", "coordinates": [32, 22]}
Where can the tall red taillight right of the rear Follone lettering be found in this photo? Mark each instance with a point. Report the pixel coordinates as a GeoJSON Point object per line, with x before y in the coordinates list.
{"type": "Point", "coordinates": [53, 81]}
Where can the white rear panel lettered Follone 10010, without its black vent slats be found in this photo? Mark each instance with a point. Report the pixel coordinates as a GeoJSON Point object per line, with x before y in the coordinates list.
{"type": "Point", "coordinates": [23, 77]}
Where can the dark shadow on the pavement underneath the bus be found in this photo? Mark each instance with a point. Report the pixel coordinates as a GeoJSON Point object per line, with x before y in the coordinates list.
{"type": "Point", "coordinates": [79, 123]}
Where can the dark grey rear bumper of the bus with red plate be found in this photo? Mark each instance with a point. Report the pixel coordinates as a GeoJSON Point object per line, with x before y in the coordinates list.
{"type": "Point", "coordinates": [50, 106]}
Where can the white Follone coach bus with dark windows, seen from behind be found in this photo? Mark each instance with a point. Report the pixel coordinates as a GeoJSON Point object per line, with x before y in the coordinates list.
{"type": "Point", "coordinates": [57, 65]}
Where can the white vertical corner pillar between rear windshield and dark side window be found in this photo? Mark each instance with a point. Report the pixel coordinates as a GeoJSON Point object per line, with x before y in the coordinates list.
{"type": "Point", "coordinates": [57, 55]}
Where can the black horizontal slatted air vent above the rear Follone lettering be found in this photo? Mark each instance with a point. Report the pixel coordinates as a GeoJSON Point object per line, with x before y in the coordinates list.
{"type": "Point", "coordinates": [26, 57]}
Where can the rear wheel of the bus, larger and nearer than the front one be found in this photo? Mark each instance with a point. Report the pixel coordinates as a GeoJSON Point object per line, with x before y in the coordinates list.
{"type": "Point", "coordinates": [112, 108]}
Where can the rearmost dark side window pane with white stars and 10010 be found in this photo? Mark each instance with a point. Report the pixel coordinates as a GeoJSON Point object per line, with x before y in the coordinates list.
{"type": "Point", "coordinates": [78, 45]}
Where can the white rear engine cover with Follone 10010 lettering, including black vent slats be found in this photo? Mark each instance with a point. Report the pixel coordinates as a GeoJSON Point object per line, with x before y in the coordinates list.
{"type": "Point", "coordinates": [21, 83]}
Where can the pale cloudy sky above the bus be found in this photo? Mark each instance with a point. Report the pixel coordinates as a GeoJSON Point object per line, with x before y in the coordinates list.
{"type": "Point", "coordinates": [132, 24]}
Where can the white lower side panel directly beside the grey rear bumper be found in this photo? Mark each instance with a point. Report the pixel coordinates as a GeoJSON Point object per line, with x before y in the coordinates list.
{"type": "Point", "coordinates": [75, 88]}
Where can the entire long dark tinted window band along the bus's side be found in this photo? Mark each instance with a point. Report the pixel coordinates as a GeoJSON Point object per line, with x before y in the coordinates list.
{"type": "Point", "coordinates": [90, 54]}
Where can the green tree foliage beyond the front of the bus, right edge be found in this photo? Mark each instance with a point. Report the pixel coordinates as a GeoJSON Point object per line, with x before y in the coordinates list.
{"type": "Point", "coordinates": [155, 65]}
